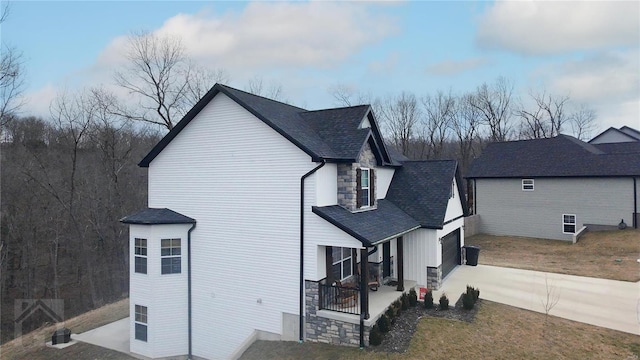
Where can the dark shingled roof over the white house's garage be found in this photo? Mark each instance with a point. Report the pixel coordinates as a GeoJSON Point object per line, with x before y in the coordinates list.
{"type": "Point", "coordinates": [422, 189]}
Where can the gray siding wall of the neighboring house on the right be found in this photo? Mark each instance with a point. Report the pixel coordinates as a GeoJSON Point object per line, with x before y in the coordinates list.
{"type": "Point", "coordinates": [505, 209]}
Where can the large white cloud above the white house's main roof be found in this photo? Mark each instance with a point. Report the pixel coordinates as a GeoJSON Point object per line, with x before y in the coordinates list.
{"type": "Point", "coordinates": [273, 35]}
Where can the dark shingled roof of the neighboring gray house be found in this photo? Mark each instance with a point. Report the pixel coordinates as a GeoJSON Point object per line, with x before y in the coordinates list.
{"type": "Point", "coordinates": [561, 156]}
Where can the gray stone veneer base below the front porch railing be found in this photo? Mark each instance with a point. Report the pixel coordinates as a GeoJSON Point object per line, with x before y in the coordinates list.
{"type": "Point", "coordinates": [330, 331]}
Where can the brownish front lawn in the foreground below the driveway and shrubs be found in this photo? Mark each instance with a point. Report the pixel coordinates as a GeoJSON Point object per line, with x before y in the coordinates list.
{"type": "Point", "coordinates": [499, 332]}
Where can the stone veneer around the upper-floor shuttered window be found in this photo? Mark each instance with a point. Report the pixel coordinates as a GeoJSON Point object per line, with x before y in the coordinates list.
{"type": "Point", "coordinates": [347, 178]}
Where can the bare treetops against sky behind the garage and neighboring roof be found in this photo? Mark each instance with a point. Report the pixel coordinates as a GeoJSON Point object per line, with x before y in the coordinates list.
{"type": "Point", "coordinates": [445, 125]}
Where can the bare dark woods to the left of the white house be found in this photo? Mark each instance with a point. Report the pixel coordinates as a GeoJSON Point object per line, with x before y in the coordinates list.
{"type": "Point", "coordinates": [65, 183]}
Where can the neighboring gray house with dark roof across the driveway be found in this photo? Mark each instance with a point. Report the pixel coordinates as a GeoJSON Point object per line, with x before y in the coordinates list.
{"type": "Point", "coordinates": [551, 188]}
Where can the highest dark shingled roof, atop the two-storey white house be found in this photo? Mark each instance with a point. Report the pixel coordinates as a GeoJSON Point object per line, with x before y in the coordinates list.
{"type": "Point", "coordinates": [330, 135]}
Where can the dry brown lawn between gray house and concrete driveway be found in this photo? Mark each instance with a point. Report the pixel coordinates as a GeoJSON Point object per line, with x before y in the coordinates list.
{"type": "Point", "coordinates": [606, 254]}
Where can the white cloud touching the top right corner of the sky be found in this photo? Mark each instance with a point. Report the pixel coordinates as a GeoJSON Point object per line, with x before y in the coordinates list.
{"type": "Point", "coordinates": [535, 27]}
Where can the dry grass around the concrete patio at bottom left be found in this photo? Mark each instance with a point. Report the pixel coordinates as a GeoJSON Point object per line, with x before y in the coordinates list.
{"type": "Point", "coordinates": [32, 345]}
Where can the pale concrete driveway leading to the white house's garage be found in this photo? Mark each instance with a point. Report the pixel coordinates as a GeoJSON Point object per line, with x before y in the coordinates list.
{"type": "Point", "coordinates": [606, 303]}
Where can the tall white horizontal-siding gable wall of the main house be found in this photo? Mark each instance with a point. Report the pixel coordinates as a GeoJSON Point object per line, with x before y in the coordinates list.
{"type": "Point", "coordinates": [240, 180]}
